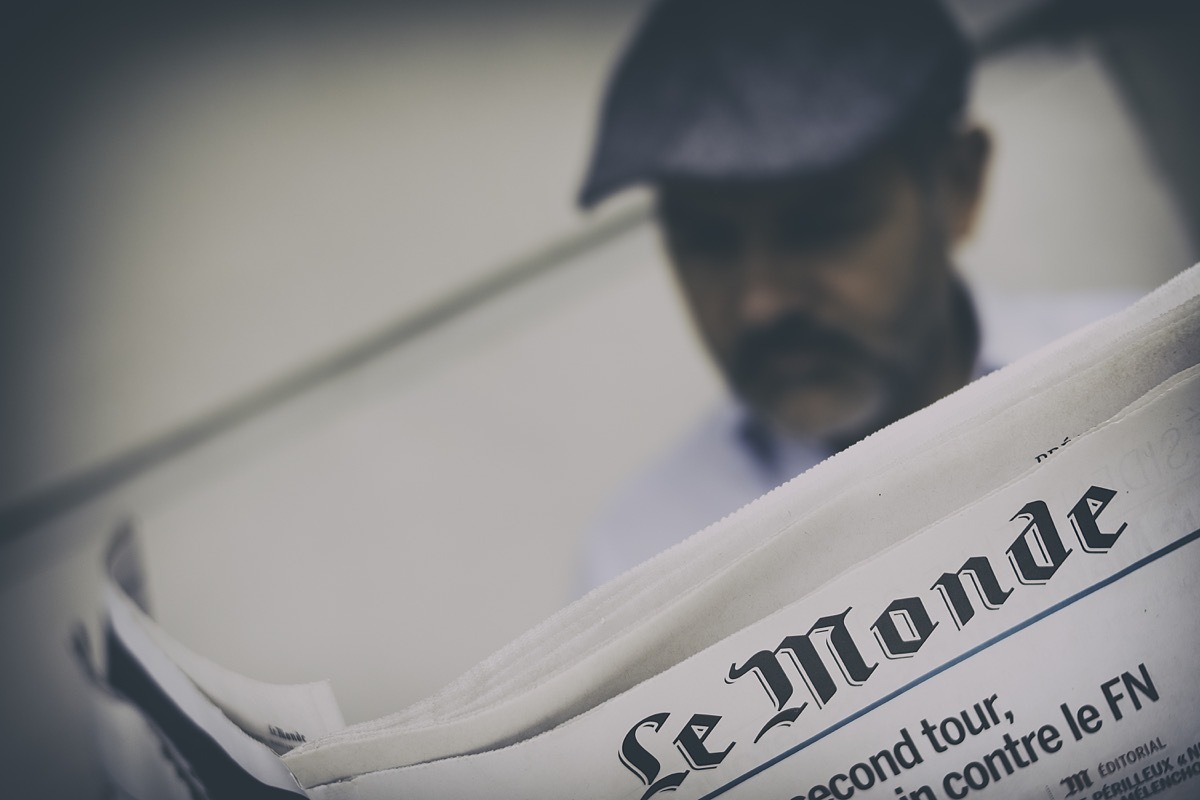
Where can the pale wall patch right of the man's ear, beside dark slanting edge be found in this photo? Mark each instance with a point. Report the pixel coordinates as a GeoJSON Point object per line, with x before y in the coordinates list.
{"type": "Point", "coordinates": [1075, 201]}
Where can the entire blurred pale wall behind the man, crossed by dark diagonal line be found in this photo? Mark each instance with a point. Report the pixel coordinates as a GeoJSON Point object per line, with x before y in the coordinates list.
{"type": "Point", "coordinates": [303, 292]}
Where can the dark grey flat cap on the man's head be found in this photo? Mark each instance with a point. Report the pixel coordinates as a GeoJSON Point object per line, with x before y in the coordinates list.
{"type": "Point", "coordinates": [746, 91]}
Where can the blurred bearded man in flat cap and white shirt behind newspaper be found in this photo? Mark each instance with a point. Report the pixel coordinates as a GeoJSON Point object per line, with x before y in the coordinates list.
{"type": "Point", "coordinates": [813, 176]}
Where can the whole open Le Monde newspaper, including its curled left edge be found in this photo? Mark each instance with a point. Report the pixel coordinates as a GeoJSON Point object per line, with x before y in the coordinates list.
{"type": "Point", "coordinates": [994, 598]}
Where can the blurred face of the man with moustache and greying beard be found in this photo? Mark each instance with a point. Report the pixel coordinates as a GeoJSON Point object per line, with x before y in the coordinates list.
{"type": "Point", "coordinates": [826, 303]}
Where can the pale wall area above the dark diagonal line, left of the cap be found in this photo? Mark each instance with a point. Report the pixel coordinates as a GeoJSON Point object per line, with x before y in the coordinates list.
{"type": "Point", "coordinates": [225, 210]}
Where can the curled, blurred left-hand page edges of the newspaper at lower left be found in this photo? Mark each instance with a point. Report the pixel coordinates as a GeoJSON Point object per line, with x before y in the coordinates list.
{"type": "Point", "coordinates": [169, 718]}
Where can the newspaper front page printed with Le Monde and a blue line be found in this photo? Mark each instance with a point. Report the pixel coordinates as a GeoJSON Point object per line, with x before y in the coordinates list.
{"type": "Point", "coordinates": [1041, 643]}
